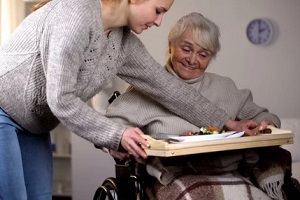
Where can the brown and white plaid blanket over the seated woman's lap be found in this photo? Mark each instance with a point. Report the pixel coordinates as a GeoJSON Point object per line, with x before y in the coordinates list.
{"type": "Point", "coordinates": [243, 174]}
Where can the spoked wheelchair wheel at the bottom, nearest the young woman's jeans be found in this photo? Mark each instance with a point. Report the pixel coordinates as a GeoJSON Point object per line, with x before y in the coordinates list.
{"type": "Point", "coordinates": [108, 190]}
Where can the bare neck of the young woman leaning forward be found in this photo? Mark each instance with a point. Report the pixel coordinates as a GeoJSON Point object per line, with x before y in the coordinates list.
{"type": "Point", "coordinates": [114, 15]}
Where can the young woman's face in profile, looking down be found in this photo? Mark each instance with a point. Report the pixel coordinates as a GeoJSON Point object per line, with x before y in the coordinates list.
{"type": "Point", "coordinates": [143, 14]}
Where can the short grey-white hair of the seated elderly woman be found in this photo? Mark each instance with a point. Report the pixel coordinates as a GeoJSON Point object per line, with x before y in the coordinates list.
{"type": "Point", "coordinates": [206, 32]}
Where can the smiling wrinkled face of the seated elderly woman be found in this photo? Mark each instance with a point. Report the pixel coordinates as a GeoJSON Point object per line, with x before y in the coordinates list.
{"type": "Point", "coordinates": [189, 60]}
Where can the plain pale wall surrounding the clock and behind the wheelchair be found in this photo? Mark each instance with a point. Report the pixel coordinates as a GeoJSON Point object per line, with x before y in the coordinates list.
{"type": "Point", "coordinates": [272, 72]}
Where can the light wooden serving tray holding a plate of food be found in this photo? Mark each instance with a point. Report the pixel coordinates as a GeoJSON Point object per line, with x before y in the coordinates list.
{"type": "Point", "coordinates": [162, 148]}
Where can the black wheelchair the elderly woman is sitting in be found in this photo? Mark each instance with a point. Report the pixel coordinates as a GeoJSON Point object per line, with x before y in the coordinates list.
{"type": "Point", "coordinates": [132, 180]}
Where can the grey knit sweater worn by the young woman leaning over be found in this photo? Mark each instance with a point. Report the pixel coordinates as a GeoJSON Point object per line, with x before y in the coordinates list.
{"type": "Point", "coordinates": [59, 57]}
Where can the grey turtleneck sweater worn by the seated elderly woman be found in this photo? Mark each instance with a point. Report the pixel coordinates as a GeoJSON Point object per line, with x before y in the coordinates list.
{"type": "Point", "coordinates": [135, 109]}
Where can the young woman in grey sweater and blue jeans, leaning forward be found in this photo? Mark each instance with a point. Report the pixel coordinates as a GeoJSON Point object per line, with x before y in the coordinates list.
{"type": "Point", "coordinates": [59, 57]}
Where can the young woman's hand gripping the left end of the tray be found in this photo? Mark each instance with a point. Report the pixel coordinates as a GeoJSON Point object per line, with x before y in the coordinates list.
{"type": "Point", "coordinates": [132, 141]}
